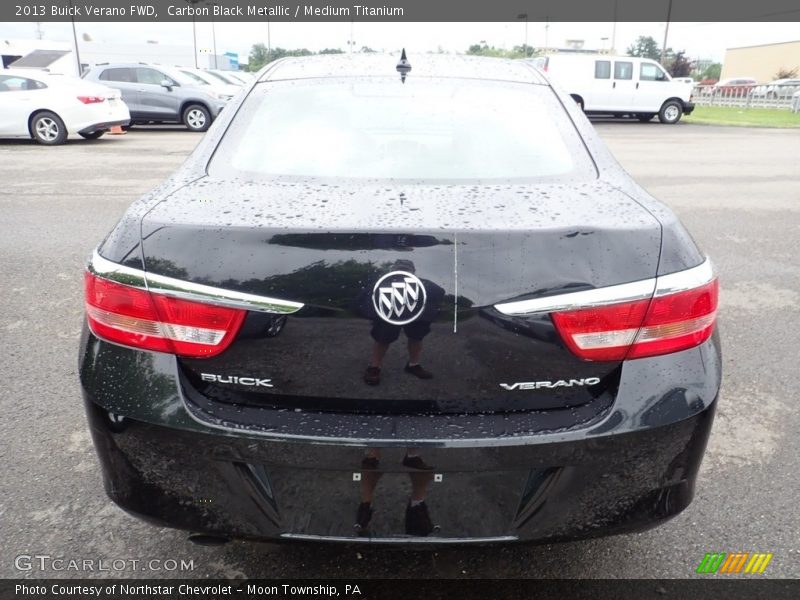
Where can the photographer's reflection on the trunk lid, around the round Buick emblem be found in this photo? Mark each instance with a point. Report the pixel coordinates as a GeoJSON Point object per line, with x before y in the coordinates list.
{"type": "Point", "coordinates": [401, 302]}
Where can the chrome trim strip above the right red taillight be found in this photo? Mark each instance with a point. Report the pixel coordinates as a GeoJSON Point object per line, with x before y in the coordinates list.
{"type": "Point", "coordinates": [614, 294]}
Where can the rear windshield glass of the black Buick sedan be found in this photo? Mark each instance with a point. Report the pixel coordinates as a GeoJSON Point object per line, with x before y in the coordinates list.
{"type": "Point", "coordinates": [446, 129]}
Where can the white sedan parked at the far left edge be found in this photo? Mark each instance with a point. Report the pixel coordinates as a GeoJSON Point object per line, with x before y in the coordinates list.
{"type": "Point", "coordinates": [49, 107]}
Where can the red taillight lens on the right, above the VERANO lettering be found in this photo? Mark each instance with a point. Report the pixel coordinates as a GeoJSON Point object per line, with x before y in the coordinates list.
{"type": "Point", "coordinates": [662, 325]}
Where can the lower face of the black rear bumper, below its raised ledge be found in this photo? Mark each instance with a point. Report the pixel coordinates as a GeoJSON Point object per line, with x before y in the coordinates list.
{"type": "Point", "coordinates": [235, 487]}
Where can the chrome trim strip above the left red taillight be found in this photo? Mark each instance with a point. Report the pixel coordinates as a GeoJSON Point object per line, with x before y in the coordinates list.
{"type": "Point", "coordinates": [186, 290]}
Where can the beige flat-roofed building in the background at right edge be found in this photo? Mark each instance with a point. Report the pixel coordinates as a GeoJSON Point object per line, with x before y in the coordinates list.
{"type": "Point", "coordinates": [761, 62]}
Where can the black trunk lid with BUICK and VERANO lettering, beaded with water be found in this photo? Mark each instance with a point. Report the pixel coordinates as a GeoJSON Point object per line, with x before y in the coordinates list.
{"type": "Point", "coordinates": [470, 246]}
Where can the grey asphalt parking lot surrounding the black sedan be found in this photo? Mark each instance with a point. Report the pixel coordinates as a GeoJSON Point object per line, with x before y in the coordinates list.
{"type": "Point", "coordinates": [736, 189]}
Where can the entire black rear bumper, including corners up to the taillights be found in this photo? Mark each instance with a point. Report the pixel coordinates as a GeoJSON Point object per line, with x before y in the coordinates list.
{"type": "Point", "coordinates": [630, 471]}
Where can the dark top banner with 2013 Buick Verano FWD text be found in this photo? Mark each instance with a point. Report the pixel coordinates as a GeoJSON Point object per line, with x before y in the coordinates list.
{"type": "Point", "coordinates": [399, 10]}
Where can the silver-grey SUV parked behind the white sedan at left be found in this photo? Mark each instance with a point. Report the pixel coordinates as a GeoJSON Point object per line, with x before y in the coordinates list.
{"type": "Point", "coordinates": [159, 94]}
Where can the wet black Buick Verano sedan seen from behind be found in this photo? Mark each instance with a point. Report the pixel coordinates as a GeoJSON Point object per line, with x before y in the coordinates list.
{"type": "Point", "coordinates": [400, 302]}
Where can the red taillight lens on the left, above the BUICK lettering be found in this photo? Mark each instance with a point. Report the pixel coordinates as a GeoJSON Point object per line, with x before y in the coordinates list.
{"type": "Point", "coordinates": [134, 317]}
